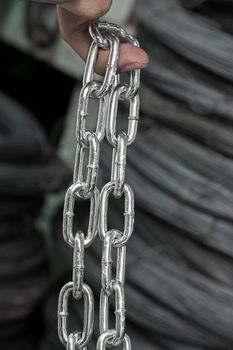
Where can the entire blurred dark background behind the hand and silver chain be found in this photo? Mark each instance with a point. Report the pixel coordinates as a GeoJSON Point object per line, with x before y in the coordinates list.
{"type": "Point", "coordinates": [180, 259]}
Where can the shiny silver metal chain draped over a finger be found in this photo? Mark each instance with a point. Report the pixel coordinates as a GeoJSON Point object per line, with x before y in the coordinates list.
{"type": "Point", "coordinates": [108, 93]}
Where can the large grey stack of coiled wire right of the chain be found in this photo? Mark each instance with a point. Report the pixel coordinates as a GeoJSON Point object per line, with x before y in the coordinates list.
{"type": "Point", "coordinates": [180, 265]}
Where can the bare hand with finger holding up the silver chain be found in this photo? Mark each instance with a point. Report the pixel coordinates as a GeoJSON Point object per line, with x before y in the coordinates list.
{"type": "Point", "coordinates": [74, 17]}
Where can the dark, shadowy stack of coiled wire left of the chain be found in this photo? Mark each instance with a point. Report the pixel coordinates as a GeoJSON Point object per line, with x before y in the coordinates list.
{"type": "Point", "coordinates": [29, 169]}
